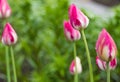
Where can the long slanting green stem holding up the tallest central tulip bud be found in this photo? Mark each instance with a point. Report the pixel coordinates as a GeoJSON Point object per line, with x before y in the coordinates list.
{"type": "Point", "coordinates": [88, 56]}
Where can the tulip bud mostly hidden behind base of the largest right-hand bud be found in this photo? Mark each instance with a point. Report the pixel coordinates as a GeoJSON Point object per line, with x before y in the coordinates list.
{"type": "Point", "coordinates": [102, 64]}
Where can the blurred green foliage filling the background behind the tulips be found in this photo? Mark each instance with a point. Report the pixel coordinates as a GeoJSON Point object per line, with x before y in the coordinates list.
{"type": "Point", "coordinates": [42, 53]}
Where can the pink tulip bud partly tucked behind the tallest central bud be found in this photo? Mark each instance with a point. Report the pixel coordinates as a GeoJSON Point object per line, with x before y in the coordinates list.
{"type": "Point", "coordinates": [70, 33]}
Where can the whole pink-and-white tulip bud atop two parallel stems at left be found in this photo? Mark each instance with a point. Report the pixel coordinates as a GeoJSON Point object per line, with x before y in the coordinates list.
{"type": "Point", "coordinates": [9, 36]}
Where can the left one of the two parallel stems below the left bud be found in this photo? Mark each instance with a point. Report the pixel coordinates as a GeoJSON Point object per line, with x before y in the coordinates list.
{"type": "Point", "coordinates": [7, 65]}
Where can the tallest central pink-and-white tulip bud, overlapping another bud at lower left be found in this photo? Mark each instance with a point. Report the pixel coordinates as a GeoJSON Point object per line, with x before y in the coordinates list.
{"type": "Point", "coordinates": [77, 18]}
